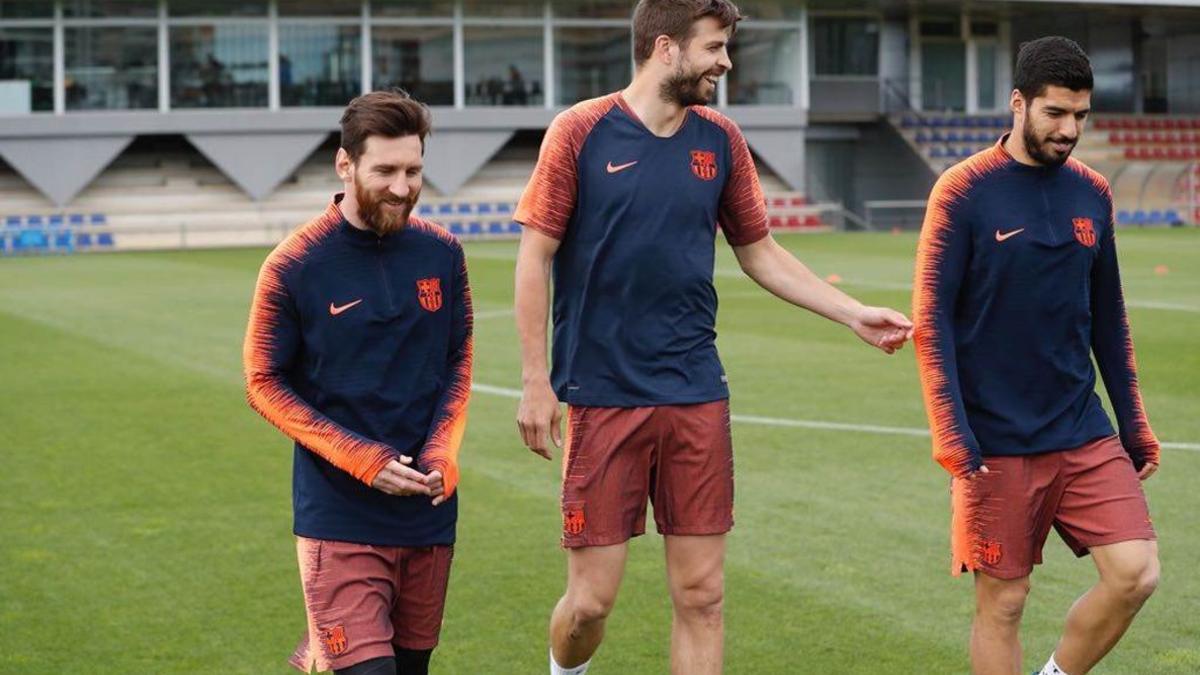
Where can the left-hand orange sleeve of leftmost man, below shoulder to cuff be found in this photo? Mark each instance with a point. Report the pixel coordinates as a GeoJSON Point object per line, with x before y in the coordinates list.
{"type": "Point", "coordinates": [273, 342]}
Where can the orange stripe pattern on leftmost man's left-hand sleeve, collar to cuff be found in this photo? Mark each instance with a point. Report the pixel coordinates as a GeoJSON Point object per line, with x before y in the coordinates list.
{"type": "Point", "coordinates": [267, 389]}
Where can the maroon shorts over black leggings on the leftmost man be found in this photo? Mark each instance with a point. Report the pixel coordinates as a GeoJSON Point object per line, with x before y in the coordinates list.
{"type": "Point", "coordinates": [365, 601]}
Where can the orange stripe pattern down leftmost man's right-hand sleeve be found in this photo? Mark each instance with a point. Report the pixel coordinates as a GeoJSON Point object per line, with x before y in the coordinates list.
{"type": "Point", "coordinates": [449, 426]}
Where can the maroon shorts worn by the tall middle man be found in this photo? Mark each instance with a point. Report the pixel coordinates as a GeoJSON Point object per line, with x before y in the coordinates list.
{"type": "Point", "coordinates": [680, 458]}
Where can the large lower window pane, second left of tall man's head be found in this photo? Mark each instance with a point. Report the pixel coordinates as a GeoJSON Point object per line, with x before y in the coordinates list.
{"type": "Point", "coordinates": [505, 67]}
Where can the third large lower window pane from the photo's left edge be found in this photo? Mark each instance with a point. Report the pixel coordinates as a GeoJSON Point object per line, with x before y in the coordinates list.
{"type": "Point", "coordinates": [219, 67]}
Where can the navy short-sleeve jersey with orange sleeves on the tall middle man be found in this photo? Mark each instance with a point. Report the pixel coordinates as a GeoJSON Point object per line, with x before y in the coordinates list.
{"type": "Point", "coordinates": [635, 309]}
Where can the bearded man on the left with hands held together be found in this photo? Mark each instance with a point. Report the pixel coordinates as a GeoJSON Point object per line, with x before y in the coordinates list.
{"type": "Point", "coordinates": [359, 348]}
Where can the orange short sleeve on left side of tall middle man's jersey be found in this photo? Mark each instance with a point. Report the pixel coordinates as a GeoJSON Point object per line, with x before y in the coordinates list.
{"type": "Point", "coordinates": [549, 200]}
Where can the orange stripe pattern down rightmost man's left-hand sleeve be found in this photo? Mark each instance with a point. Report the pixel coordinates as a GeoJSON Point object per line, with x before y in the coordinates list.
{"type": "Point", "coordinates": [951, 446]}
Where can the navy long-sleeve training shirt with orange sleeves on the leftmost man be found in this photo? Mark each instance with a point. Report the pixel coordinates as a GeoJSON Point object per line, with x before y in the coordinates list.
{"type": "Point", "coordinates": [359, 348]}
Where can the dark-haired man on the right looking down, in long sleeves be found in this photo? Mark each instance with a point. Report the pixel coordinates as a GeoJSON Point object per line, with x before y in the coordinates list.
{"type": "Point", "coordinates": [1017, 288]}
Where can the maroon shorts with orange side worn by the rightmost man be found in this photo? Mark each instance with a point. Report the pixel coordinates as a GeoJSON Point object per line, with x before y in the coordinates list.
{"type": "Point", "coordinates": [1091, 495]}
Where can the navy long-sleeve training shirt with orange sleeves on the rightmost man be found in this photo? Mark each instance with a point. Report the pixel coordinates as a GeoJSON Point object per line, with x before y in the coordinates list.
{"type": "Point", "coordinates": [1017, 286]}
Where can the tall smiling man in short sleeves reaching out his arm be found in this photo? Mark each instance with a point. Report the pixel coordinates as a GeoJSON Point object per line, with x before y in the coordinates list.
{"type": "Point", "coordinates": [622, 212]}
